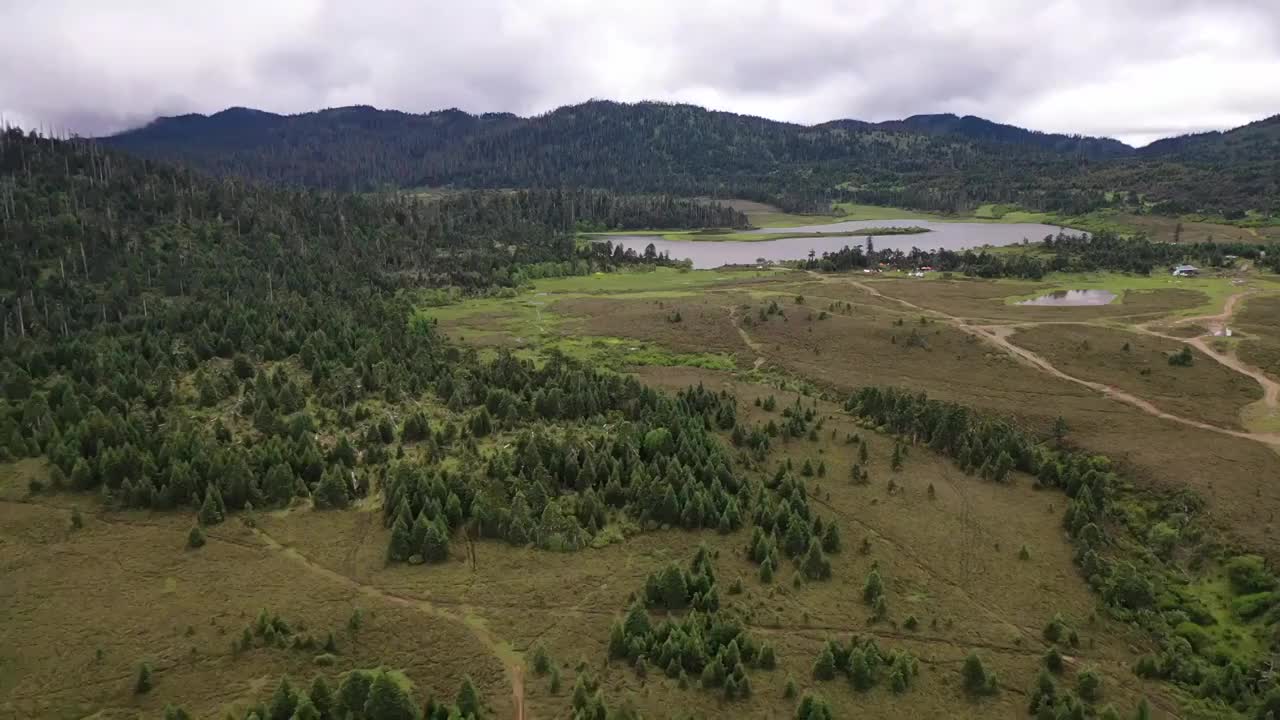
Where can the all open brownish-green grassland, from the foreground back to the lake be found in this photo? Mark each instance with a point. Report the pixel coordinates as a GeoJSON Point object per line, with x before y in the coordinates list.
{"type": "Point", "coordinates": [948, 545]}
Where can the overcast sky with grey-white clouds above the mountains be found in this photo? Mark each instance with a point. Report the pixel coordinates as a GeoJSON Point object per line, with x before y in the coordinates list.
{"type": "Point", "coordinates": [1135, 70]}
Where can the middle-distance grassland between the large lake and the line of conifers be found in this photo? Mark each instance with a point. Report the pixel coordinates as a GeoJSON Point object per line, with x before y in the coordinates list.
{"type": "Point", "coordinates": [862, 344]}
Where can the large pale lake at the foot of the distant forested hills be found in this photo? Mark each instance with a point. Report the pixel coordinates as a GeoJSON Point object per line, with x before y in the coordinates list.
{"type": "Point", "coordinates": [949, 236]}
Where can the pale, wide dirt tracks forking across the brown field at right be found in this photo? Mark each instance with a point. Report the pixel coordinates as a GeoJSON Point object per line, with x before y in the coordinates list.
{"type": "Point", "coordinates": [999, 336]}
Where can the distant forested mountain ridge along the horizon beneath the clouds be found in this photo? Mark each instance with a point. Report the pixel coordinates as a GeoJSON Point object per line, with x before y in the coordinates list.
{"type": "Point", "coordinates": [929, 162]}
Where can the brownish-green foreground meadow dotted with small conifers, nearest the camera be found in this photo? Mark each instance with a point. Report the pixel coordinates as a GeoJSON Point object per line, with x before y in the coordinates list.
{"type": "Point", "coordinates": [441, 623]}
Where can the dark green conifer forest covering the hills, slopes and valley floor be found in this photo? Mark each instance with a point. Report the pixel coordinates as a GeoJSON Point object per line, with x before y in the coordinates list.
{"type": "Point", "coordinates": [235, 326]}
